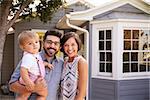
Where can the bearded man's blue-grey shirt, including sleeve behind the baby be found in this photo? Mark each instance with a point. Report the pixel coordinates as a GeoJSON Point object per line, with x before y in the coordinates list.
{"type": "Point", "coordinates": [52, 77]}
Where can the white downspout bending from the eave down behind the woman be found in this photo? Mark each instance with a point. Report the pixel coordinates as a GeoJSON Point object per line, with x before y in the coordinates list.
{"type": "Point", "coordinates": [85, 46]}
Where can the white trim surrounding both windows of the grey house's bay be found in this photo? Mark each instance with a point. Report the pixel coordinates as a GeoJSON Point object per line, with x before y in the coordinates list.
{"type": "Point", "coordinates": [117, 25]}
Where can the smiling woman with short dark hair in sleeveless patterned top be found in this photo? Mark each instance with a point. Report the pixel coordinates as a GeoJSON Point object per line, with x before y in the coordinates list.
{"type": "Point", "coordinates": [75, 71]}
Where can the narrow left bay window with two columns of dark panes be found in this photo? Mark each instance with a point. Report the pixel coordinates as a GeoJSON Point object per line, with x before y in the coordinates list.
{"type": "Point", "coordinates": [105, 53]}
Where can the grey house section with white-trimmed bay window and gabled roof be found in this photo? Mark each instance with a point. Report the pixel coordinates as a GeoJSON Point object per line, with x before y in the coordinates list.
{"type": "Point", "coordinates": [117, 47]}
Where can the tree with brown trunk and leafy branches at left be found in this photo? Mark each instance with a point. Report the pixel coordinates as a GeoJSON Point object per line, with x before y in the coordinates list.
{"type": "Point", "coordinates": [21, 9]}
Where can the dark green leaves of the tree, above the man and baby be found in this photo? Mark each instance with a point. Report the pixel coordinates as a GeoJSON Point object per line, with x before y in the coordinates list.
{"type": "Point", "coordinates": [44, 10]}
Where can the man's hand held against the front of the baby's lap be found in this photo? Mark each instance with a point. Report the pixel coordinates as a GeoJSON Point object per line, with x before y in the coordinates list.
{"type": "Point", "coordinates": [40, 84]}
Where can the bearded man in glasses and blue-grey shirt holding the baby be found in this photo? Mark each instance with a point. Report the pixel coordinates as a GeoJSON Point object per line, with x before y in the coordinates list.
{"type": "Point", "coordinates": [51, 45]}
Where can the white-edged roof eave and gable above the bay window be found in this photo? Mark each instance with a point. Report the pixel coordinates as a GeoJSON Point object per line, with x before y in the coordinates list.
{"type": "Point", "coordinates": [78, 18]}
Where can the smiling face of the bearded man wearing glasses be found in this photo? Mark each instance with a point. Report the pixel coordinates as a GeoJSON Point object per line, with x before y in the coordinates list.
{"type": "Point", "coordinates": [51, 45]}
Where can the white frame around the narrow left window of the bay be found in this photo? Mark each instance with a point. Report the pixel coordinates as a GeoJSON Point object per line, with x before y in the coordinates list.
{"type": "Point", "coordinates": [95, 44]}
